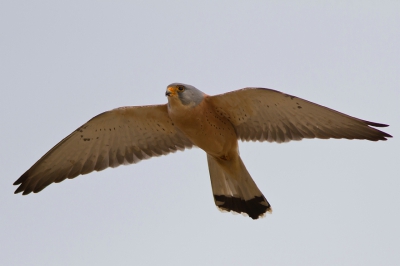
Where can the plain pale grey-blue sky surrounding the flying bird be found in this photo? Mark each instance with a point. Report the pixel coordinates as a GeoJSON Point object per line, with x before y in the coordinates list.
{"type": "Point", "coordinates": [335, 202]}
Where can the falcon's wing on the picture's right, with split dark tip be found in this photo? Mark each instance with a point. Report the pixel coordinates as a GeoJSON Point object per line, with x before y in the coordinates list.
{"type": "Point", "coordinates": [262, 114]}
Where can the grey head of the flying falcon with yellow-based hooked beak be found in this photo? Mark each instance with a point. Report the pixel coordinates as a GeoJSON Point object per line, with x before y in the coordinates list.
{"type": "Point", "coordinates": [186, 94]}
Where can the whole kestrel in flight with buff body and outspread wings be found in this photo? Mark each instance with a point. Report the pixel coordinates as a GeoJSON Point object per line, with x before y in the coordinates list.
{"type": "Point", "coordinates": [192, 118]}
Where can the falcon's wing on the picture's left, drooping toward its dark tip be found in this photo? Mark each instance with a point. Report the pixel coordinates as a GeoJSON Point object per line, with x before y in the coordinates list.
{"type": "Point", "coordinates": [124, 135]}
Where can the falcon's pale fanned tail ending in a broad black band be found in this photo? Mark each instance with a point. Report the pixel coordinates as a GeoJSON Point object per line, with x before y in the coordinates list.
{"type": "Point", "coordinates": [234, 189]}
